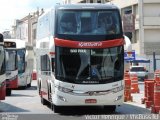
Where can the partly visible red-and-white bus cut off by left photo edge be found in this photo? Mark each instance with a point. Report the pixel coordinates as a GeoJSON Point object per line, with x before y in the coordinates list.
{"type": "Point", "coordinates": [2, 70]}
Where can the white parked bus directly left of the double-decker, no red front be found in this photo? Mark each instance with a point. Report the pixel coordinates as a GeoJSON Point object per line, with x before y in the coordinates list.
{"type": "Point", "coordinates": [25, 63]}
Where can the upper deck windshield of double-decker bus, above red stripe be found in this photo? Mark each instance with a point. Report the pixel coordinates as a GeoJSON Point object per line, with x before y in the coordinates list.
{"type": "Point", "coordinates": [89, 22]}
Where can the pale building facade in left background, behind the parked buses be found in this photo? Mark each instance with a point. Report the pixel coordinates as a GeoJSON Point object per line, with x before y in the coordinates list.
{"type": "Point", "coordinates": [25, 28]}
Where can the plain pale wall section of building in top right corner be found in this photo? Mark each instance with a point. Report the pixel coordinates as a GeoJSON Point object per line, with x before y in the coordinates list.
{"type": "Point", "coordinates": [151, 26]}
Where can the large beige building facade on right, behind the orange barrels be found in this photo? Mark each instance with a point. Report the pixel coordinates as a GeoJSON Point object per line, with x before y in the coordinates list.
{"type": "Point", "coordinates": [146, 37]}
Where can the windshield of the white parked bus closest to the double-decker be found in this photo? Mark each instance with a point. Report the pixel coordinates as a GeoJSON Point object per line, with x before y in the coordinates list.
{"type": "Point", "coordinates": [21, 61]}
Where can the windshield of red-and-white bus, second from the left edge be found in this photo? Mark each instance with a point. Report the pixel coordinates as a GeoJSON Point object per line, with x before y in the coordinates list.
{"type": "Point", "coordinates": [11, 62]}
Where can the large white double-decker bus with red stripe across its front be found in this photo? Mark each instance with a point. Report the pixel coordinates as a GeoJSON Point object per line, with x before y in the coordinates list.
{"type": "Point", "coordinates": [80, 56]}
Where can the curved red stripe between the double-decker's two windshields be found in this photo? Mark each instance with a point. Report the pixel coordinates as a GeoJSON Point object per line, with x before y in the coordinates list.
{"type": "Point", "coordinates": [92, 44]}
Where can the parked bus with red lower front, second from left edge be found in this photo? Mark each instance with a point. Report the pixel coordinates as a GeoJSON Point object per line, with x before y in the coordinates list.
{"type": "Point", "coordinates": [11, 66]}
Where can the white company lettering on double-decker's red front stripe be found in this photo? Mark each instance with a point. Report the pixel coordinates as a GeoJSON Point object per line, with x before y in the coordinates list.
{"type": "Point", "coordinates": [90, 44]}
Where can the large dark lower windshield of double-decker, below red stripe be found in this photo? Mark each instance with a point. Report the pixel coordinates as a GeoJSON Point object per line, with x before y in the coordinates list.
{"type": "Point", "coordinates": [89, 65]}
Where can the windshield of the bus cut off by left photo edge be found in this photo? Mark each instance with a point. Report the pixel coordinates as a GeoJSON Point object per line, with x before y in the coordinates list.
{"type": "Point", "coordinates": [2, 62]}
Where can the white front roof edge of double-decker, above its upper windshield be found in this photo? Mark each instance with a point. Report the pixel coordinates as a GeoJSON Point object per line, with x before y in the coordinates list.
{"type": "Point", "coordinates": [86, 6]}
